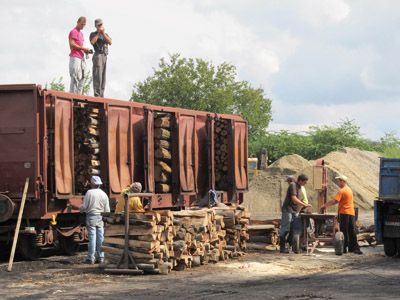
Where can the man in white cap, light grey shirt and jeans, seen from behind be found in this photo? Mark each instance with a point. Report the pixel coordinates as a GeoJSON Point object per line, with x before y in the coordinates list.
{"type": "Point", "coordinates": [94, 203]}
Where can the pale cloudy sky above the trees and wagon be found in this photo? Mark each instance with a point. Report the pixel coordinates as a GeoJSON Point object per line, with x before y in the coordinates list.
{"type": "Point", "coordinates": [320, 61]}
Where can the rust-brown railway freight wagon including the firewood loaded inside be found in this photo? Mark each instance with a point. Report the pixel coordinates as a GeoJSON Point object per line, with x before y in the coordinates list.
{"type": "Point", "coordinates": [60, 139]}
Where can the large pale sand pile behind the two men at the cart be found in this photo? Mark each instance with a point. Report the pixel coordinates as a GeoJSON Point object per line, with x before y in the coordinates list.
{"type": "Point", "coordinates": [268, 190]}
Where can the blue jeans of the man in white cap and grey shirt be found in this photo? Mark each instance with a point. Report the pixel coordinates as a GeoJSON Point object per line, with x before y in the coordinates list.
{"type": "Point", "coordinates": [95, 229]}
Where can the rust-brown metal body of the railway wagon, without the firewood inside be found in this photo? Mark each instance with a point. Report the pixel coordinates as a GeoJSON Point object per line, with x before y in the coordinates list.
{"type": "Point", "coordinates": [37, 141]}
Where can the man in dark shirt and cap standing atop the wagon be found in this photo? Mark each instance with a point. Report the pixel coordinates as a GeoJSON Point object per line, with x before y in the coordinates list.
{"type": "Point", "coordinates": [100, 41]}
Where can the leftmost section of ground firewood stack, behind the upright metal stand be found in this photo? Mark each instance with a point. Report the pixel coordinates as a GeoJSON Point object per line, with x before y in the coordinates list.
{"type": "Point", "coordinates": [151, 236]}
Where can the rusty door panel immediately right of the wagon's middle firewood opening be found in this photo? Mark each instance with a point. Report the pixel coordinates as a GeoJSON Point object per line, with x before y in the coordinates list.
{"type": "Point", "coordinates": [186, 153]}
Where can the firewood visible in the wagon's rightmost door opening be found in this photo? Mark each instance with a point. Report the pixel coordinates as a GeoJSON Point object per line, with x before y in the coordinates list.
{"type": "Point", "coordinates": [221, 130]}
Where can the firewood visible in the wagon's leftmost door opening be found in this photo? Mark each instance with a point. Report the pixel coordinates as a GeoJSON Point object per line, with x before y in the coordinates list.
{"type": "Point", "coordinates": [86, 146]}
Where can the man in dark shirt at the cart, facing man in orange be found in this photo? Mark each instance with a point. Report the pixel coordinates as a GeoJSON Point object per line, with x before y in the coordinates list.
{"type": "Point", "coordinates": [290, 208]}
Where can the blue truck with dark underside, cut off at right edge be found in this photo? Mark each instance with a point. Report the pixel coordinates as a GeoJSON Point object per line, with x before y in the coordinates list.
{"type": "Point", "coordinates": [387, 207]}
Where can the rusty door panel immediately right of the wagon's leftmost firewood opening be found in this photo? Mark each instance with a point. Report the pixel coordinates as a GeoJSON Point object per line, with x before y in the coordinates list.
{"type": "Point", "coordinates": [119, 148]}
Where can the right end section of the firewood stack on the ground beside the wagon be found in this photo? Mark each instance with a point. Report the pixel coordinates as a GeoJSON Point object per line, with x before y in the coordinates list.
{"type": "Point", "coordinates": [236, 220]}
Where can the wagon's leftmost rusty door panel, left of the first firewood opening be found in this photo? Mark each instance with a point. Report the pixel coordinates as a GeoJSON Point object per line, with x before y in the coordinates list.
{"type": "Point", "coordinates": [63, 148]}
